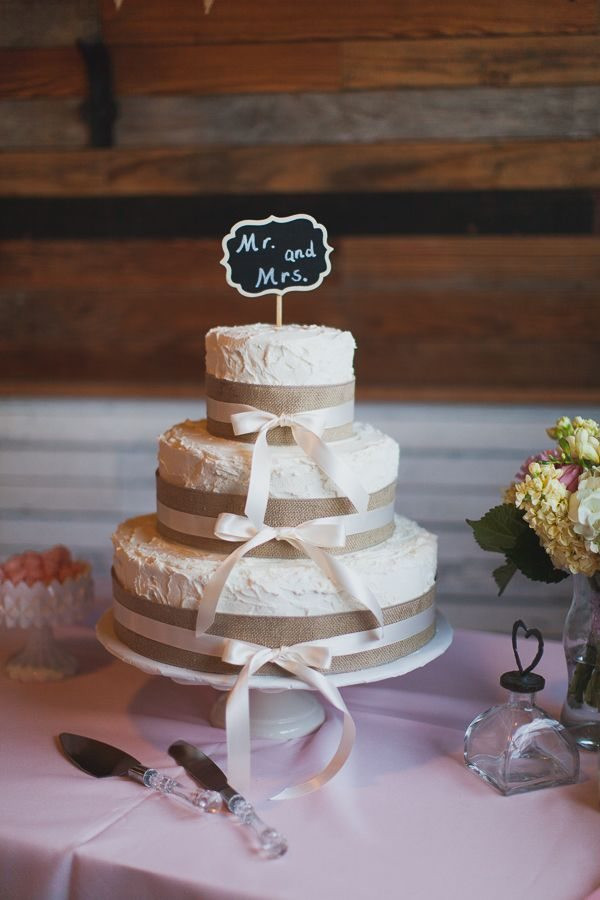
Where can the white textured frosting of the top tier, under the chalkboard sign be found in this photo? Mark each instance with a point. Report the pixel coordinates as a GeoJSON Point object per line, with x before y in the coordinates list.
{"type": "Point", "coordinates": [288, 355]}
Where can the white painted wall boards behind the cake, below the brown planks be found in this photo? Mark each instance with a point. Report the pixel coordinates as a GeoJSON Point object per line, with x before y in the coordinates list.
{"type": "Point", "coordinates": [70, 470]}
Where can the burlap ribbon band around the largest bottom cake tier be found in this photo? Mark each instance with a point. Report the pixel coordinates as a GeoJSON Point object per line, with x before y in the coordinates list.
{"type": "Point", "coordinates": [269, 631]}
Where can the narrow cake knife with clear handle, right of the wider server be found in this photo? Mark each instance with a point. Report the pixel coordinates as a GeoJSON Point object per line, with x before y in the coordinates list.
{"type": "Point", "coordinates": [205, 772]}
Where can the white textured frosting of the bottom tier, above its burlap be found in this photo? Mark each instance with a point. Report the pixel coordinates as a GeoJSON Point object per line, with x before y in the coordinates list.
{"type": "Point", "coordinates": [398, 570]}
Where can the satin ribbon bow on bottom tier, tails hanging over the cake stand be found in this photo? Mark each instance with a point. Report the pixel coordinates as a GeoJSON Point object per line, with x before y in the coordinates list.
{"type": "Point", "coordinates": [300, 660]}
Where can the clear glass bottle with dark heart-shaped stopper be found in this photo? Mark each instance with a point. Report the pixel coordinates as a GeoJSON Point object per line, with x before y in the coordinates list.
{"type": "Point", "coordinates": [518, 747]}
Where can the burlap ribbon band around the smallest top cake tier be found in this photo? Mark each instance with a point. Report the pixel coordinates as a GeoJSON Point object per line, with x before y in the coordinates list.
{"type": "Point", "coordinates": [278, 400]}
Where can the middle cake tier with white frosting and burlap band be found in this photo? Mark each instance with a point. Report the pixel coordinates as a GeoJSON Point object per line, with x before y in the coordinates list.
{"type": "Point", "coordinates": [201, 476]}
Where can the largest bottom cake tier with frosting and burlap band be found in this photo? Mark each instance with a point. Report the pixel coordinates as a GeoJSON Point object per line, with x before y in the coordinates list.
{"type": "Point", "coordinates": [158, 588]}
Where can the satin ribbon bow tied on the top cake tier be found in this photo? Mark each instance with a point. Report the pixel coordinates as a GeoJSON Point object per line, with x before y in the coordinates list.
{"type": "Point", "coordinates": [307, 429]}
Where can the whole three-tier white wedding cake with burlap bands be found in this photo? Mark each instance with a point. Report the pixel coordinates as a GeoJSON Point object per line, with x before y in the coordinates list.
{"type": "Point", "coordinates": [275, 523]}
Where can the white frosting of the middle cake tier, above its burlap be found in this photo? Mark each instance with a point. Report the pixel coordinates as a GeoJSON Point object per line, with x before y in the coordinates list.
{"type": "Point", "coordinates": [189, 456]}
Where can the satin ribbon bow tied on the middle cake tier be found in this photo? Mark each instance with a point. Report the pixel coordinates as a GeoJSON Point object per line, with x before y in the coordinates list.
{"type": "Point", "coordinates": [309, 538]}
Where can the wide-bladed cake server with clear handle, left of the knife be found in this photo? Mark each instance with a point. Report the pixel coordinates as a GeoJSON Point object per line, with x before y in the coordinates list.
{"type": "Point", "coordinates": [102, 760]}
